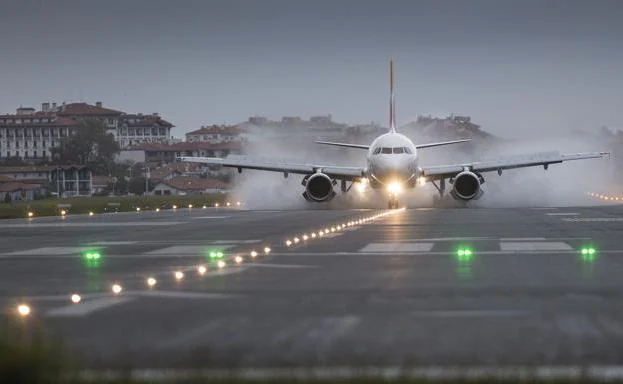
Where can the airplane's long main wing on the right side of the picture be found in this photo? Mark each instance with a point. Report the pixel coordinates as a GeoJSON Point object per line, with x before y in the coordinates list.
{"type": "Point", "coordinates": [539, 159]}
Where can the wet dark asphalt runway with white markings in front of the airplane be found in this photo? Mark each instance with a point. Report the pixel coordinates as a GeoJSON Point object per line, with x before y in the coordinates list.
{"type": "Point", "coordinates": [392, 290]}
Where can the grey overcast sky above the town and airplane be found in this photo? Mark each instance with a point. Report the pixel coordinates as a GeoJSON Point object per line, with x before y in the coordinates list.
{"type": "Point", "coordinates": [512, 65]}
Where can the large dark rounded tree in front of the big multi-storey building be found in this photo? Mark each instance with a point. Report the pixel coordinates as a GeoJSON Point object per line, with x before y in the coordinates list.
{"type": "Point", "coordinates": [89, 144]}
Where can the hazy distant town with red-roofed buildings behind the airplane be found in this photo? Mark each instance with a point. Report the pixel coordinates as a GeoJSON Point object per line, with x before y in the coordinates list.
{"type": "Point", "coordinates": [147, 152]}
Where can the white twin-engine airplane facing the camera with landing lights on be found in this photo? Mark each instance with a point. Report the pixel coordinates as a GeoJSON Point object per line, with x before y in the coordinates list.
{"type": "Point", "coordinates": [392, 164]}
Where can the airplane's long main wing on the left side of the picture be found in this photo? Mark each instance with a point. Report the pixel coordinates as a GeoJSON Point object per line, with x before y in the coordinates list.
{"type": "Point", "coordinates": [242, 162]}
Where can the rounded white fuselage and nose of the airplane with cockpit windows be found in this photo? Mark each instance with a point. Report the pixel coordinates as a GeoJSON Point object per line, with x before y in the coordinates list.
{"type": "Point", "coordinates": [392, 158]}
